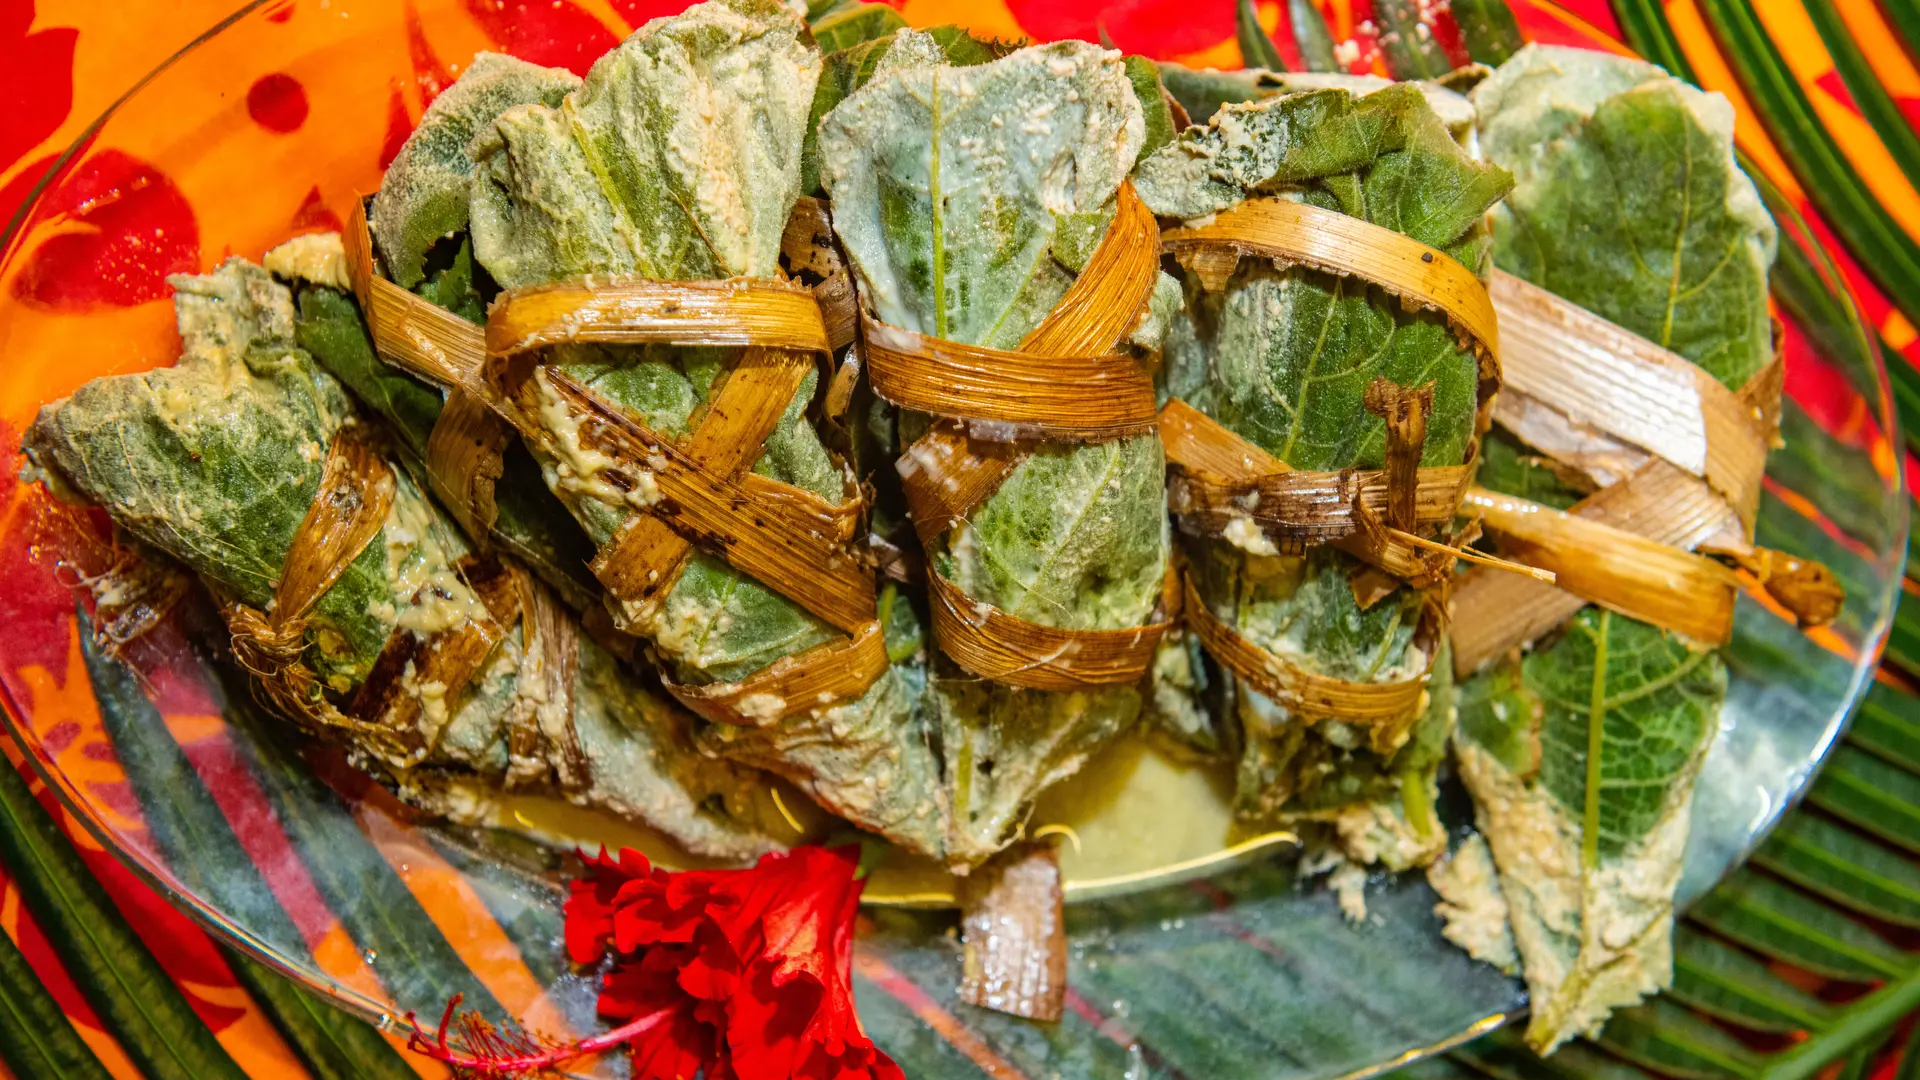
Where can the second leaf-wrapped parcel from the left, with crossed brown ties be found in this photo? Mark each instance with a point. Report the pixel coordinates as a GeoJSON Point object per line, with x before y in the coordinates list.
{"type": "Point", "coordinates": [663, 370]}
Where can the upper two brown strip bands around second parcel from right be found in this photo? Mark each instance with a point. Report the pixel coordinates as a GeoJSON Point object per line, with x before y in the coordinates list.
{"type": "Point", "coordinates": [1220, 476]}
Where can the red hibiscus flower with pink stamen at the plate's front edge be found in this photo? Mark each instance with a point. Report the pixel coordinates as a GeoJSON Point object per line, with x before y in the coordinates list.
{"type": "Point", "coordinates": [736, 975]}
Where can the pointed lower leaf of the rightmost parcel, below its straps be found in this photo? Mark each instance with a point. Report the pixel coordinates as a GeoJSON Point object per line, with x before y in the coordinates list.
{"type": "Point", "coordinates": [1583, 766]}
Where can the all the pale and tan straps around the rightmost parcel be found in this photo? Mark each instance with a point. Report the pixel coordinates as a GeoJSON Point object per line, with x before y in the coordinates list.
{"type": "Point", "coordinates": [1681, 458]}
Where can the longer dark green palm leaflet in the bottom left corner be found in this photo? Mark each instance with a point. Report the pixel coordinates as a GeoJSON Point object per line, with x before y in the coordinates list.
{"type": "Point", "coordinates": [124, 983]}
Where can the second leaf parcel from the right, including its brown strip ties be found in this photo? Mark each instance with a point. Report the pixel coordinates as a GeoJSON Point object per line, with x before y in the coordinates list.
{"type": "Point", "coordinates": [1330, 380]}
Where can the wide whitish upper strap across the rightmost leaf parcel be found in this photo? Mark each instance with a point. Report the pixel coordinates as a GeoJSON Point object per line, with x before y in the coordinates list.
{"type": "Point", "coordinates": [1606, 380]}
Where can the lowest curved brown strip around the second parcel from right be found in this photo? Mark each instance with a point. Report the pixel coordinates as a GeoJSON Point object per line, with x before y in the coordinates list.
{"type": "Point", "coordinates": [1385, 708]}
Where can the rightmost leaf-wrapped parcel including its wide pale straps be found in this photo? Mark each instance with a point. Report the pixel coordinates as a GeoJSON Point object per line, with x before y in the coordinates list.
{"type": "Point", "coordinates": [1643, 397]}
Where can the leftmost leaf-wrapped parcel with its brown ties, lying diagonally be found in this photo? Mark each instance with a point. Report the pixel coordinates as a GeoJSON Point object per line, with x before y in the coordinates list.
{"type": "Point", "coordinates": [354, 601]}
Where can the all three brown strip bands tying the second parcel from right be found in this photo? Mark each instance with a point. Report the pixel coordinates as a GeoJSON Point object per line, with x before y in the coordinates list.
{"type": "Point", "coordinates": [1372, 514]}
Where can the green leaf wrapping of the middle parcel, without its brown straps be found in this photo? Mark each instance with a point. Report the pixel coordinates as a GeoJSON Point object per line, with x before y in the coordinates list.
{"type": "Point", "coordinates": [969, 199]}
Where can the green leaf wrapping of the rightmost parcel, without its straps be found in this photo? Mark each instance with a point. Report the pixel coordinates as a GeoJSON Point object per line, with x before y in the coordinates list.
{"type": "Point", "coordinates": [1583, 756]}
